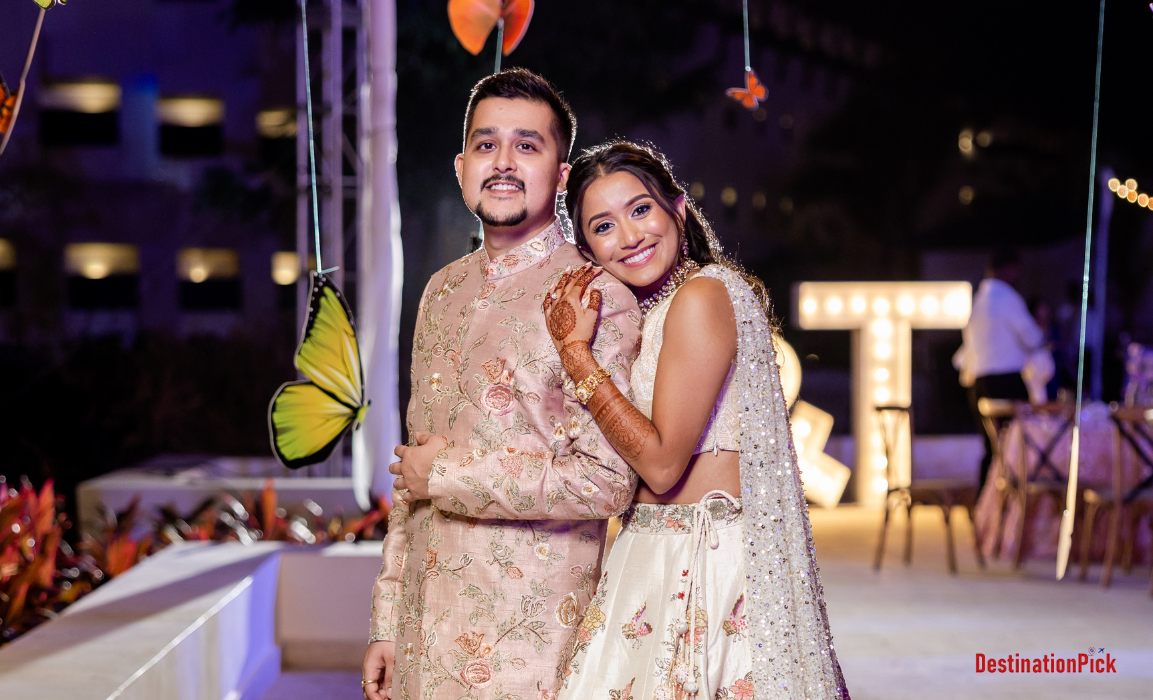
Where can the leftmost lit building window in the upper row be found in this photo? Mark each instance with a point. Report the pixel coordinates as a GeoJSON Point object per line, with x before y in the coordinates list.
{"type": "Point", "coordinates": [80, 114]}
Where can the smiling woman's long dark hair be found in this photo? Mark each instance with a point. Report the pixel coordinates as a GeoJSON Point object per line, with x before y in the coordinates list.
{"type": "Point", "coordinates": [655, 174]}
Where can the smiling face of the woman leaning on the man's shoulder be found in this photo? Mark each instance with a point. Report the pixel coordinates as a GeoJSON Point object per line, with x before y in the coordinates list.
{"type": "Point", "coordinates": [628, 232]}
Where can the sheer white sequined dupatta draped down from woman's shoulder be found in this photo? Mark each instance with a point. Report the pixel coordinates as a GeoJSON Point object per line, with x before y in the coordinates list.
{"type": "Point", "coordinates": [789, 631]}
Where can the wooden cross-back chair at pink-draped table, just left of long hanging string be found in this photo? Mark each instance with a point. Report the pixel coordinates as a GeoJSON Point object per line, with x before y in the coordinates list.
{"type": "Point", "coordinates": [1030, 484]}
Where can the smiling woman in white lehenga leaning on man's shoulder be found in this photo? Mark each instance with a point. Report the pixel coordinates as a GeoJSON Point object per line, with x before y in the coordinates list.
{"type": "Point", "coordinates": [712, 589]}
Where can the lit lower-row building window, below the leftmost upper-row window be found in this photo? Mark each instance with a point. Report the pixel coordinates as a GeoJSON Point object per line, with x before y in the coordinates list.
{"type": "Point", "coordinates": [103, 276]}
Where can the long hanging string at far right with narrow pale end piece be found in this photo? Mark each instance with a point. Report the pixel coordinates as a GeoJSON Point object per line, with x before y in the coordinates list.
{"type": "Point", "coordinates": [1072, 501]}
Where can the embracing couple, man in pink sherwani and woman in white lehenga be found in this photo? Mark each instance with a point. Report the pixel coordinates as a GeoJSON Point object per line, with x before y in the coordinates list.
{"type": "Point", "coordinates": [546, 401]}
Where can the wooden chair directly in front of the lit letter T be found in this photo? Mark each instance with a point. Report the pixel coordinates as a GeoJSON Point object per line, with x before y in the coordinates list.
{"type": "Point", "coordinates": [943, 493]}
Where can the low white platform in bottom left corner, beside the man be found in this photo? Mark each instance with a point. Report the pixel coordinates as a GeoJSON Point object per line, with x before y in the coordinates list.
{"type": "Point", "coordinates": [204, 622]}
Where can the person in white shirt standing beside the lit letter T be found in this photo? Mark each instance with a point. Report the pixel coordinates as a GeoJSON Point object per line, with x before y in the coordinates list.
{"type": "Point", "coordinates": [998, 342]}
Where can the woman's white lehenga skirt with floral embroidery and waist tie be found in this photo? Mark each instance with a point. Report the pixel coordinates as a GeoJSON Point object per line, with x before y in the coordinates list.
{"type": "Point", "coordinates": [631, 643]}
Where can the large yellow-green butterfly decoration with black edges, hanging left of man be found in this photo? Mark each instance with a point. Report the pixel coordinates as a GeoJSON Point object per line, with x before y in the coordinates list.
{"type": "Point", "coordinates": [307, 419]}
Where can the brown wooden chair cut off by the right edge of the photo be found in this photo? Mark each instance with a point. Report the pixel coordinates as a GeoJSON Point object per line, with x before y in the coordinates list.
{"type": "Point", "coordinates": [1135, 428]}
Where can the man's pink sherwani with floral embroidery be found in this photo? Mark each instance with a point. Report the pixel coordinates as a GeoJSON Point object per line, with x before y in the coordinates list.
{"type": "Point", "coordinates": [483, 584]}
